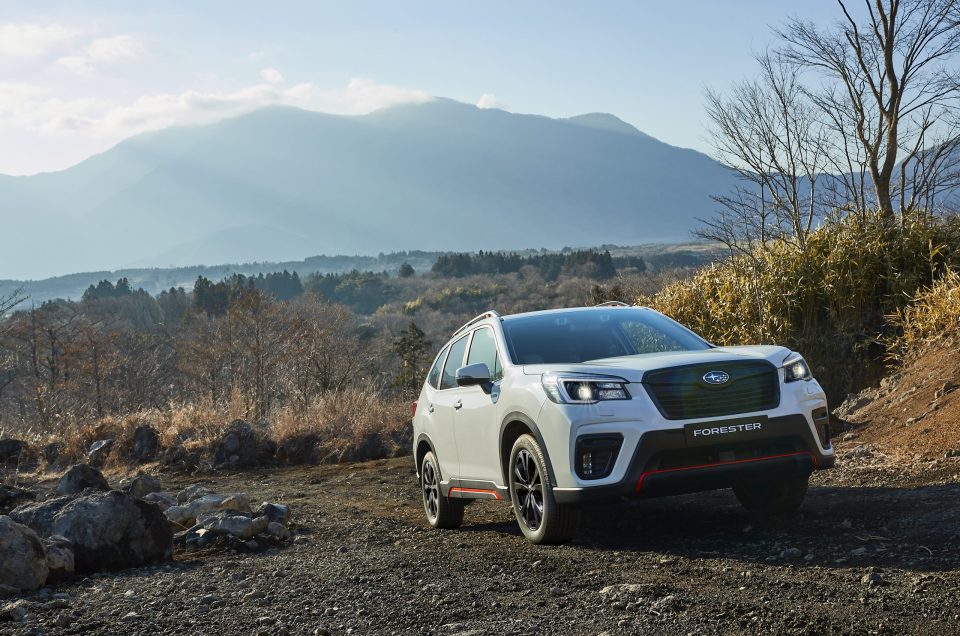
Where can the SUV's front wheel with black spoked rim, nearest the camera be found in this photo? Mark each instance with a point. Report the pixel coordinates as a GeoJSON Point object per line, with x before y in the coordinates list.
{"type": "Point", "coordinates": [541, 518]}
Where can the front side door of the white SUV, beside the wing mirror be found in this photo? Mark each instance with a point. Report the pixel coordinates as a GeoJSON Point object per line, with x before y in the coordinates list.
{"type": "Point", "coordinates": [476, 422]}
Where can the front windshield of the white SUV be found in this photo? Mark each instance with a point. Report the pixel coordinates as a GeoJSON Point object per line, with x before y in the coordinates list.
{"type": "Point", "coordinates": [590, 334]}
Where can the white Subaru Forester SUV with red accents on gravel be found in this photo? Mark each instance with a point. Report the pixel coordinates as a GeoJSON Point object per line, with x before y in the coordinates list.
{"type": "Point", "coordinates": [553, 409]}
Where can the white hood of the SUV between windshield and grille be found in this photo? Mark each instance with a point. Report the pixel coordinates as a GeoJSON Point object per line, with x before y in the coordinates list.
{"type": "Point", "coordinates": [632, 368]}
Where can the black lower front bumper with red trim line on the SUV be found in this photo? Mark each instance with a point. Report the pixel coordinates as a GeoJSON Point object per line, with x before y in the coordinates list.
{"type": "Point", "coordinates": [664, 463]}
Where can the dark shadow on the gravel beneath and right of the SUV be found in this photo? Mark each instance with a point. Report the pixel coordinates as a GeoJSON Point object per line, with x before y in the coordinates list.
{"type": "Point", "coordinates": [907, 528]}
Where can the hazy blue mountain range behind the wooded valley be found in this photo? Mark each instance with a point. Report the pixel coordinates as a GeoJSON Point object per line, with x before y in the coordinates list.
{"type": "Point", "coordinates": [283, 183]}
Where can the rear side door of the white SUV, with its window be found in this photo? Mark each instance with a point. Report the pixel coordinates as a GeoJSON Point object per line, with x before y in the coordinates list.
{"type": "Point", "coordinates": [440, 407]}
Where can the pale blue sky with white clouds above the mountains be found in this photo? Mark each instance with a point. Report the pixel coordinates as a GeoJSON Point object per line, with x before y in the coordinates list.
{"type": "Point", "coordinates": [78, 77]}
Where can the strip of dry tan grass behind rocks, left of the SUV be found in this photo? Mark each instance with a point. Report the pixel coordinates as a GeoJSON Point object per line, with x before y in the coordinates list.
{"type": "Point", "coordinates": [357, 423]}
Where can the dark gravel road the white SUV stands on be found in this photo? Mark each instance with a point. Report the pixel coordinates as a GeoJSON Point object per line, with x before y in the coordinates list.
{"type": "Point", "coordinates": [876, 549]}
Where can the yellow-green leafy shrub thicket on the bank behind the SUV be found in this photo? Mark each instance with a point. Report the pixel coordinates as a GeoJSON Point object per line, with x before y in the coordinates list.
{"type": "Point", "coordinates": [829, 300]}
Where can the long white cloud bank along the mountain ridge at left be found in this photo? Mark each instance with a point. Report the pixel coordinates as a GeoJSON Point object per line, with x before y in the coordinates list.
{"type": "Point", "coordinates": [35, 108]}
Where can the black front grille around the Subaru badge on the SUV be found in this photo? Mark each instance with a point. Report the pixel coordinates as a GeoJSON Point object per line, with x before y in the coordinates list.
{"type": "Point", "coordinates": [680, 393]}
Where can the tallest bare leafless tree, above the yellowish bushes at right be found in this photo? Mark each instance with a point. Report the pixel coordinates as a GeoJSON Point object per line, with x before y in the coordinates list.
{"type": "Point", "coordinates": [887, 82]}
